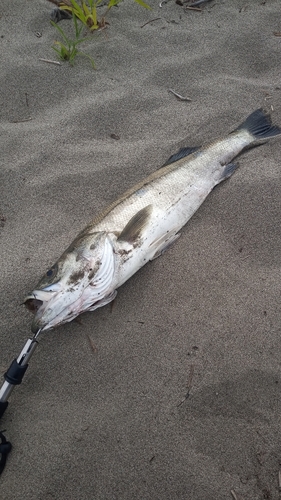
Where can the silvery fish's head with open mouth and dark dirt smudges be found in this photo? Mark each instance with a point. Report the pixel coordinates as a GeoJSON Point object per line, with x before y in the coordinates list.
{"type": "Point", "coordinates": [79, 281]}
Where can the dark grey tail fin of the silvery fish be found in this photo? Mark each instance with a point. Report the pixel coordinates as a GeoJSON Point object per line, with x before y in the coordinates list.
{"type": "Point", "coordinates": [259, 125]}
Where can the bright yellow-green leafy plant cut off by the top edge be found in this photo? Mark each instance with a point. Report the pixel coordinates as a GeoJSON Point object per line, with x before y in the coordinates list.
{"type": "Point", "coordinates": [87, 11]}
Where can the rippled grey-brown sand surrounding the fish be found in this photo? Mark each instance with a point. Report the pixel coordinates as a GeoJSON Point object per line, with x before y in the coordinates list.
{"type": "Point", "coordinates": [101, 413]}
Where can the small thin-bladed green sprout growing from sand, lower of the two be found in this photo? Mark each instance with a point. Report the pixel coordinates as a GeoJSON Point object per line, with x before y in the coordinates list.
{"type": "Point", "coordinates": [68, 50]}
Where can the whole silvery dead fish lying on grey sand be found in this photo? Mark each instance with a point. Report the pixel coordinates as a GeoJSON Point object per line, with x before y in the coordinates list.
{"type": "Point", "coordinates": [139, 226]}
